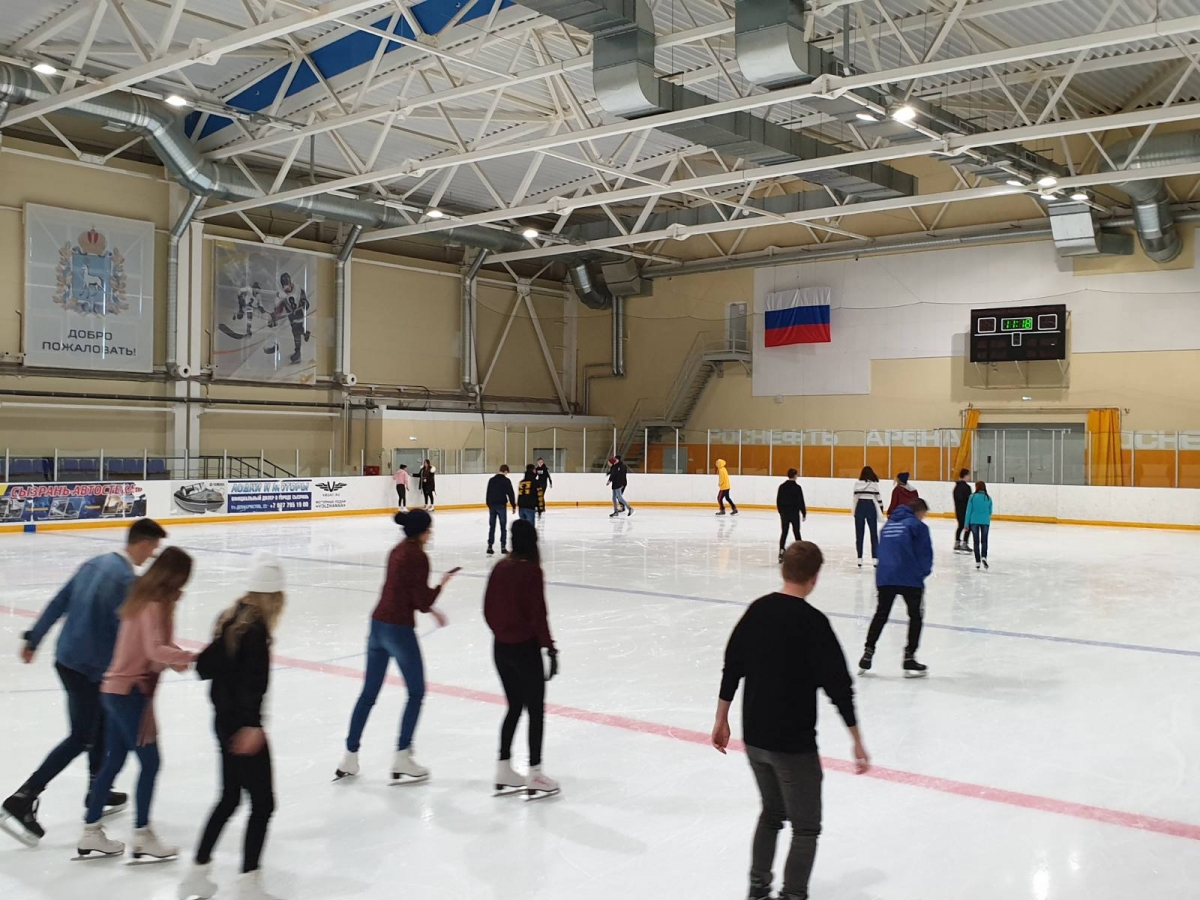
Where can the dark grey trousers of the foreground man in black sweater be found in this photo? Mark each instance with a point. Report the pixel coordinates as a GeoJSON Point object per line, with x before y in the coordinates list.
{"type": "Point", "coordinates": [790, 785]}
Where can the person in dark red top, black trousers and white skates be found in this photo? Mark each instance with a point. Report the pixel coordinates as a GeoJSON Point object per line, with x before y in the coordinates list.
{"type": "Point", "coordinates": [515, 609]}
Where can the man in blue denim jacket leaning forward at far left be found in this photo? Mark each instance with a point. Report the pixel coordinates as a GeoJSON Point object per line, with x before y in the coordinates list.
{"type": "Point", "coordinates": [89, 602]}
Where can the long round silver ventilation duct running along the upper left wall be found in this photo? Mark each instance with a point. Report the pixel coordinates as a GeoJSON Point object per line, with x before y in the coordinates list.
{"type": "Point", "coordinates": [165, 134]}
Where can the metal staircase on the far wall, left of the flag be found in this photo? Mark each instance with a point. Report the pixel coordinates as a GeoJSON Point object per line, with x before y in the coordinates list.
{"type": "Point", "coordinates": [709, 356]}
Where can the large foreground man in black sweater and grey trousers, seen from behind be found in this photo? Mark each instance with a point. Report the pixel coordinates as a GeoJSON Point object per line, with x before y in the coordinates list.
{"type": "Point", "coordinates": [787, 651]}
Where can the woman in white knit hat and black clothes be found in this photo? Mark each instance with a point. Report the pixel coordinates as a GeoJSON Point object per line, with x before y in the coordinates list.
{"type": "Point", "coordinates": [238, 663]}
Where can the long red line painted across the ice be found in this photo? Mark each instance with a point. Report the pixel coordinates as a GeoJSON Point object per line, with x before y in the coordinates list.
{"type": "Point", "coordinates": [931, 783]}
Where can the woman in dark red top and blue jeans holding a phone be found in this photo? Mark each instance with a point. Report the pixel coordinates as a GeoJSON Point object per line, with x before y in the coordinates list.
{"type": "Point", "coordinates": [393, 637]}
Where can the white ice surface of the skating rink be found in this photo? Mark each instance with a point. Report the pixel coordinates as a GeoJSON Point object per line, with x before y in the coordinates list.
{"type": "Point", "coordinates": [641, 610]}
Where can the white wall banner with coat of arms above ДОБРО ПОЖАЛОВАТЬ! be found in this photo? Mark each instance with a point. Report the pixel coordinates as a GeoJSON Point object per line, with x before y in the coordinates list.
{"type": "Point", "coordinates": [89, 291]}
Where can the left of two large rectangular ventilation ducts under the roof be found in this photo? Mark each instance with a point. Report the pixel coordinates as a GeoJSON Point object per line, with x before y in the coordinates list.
{"type": "Point", "coordinates": [628, 86]}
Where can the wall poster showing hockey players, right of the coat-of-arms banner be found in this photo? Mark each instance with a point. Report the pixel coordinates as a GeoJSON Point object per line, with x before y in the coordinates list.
{"type": "Point", "coordinates": [268, 326]}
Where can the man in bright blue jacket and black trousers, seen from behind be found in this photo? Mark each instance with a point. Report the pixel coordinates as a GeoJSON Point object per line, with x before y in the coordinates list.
{"type": "Point", "coordinates": [907, 559]}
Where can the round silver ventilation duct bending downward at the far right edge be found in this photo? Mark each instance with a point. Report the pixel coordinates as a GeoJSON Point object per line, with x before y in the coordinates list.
{"type": "Point", "coordinates": [1157, 233]}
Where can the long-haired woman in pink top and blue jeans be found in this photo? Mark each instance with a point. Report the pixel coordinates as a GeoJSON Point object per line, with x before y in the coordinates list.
{"type": "Point", "coordinates": [146, 647]}
